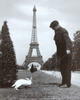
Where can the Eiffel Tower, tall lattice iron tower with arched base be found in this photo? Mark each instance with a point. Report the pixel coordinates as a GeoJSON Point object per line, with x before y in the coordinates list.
{"type": "Point", "coordinates": [33, 46]}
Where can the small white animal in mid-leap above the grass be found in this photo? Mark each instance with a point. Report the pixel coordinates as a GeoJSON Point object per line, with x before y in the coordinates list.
{"type": "Point", "coordinates": [22, 82]}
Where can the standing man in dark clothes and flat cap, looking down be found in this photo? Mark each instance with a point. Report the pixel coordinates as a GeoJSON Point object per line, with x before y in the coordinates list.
{"type": "Point", "coordinates": [64, 52]}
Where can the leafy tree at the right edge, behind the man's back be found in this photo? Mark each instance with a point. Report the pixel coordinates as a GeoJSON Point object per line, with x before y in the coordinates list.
{"type": "Point", "coordinates": [76, 51]}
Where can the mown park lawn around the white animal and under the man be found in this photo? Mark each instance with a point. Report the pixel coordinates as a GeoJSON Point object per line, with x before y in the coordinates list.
{"type": "Point", "coordinates": [44, 87]}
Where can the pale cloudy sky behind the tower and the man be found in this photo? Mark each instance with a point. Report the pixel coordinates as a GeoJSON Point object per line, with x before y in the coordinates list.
{"type": "Point", "coordinates": [19, 17]}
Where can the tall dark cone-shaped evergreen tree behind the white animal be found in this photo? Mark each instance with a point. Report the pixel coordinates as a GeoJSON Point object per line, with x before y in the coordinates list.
{"type": "Point", "coordinates": [8, 60]}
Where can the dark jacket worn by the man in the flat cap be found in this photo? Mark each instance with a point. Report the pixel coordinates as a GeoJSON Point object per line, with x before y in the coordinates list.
{"type": "Point", "coordinates": [63, 42]}
